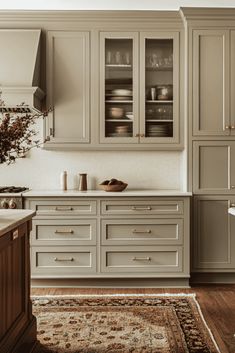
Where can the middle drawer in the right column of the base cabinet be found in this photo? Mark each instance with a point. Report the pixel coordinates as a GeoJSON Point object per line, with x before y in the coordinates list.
{"type": "Point", "coordinates": [141, 231]}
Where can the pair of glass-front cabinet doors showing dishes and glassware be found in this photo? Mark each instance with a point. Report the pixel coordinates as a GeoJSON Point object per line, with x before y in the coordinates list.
{"type": "Point", "coordinates": [139, 85]}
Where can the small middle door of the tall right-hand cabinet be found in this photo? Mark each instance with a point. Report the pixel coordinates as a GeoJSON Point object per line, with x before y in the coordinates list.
{"type": "Point", "coordinates": [214, 167]}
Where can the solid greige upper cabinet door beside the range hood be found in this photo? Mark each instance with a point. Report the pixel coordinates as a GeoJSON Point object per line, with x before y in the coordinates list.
{"type": "Point", "coordinates": [68, 86]}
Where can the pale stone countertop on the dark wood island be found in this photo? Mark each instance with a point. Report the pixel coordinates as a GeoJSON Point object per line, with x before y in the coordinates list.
{"type": "Point", "coordinates": [10, 219]}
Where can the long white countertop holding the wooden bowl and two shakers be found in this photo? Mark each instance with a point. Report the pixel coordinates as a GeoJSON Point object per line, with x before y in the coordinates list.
{"type": "Point", "coordinates": [101, 193]}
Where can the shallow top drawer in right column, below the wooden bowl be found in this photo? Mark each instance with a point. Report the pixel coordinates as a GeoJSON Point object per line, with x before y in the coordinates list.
{"type": "Point", "coordinates": [161, 207]}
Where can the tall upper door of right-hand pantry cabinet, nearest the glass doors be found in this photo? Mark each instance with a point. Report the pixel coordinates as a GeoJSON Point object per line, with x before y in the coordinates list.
{"type": "Point", "coordinates": [210, 82]}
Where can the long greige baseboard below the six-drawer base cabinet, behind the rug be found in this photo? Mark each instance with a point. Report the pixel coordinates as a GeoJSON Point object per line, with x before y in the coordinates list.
{"type": "Point", "coordinates": [111, 283]}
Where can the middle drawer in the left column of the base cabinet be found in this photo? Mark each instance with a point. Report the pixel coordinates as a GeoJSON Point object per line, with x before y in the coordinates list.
{"type": "Point", "coordinates": [64, 232]}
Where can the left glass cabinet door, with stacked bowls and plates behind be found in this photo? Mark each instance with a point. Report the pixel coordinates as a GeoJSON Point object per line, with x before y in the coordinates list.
{"type": "Point", "coordinates": [119, 63]}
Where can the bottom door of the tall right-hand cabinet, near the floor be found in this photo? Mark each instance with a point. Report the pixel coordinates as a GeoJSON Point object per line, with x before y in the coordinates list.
{"type": "Point", "coordinates": [214, 234]}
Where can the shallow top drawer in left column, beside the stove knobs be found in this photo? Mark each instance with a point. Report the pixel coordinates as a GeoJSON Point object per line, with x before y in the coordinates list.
{"type": "Point", "coordinates": [59, 207]}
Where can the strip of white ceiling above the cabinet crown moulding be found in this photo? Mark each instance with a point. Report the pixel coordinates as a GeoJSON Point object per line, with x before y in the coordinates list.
{"type": "Point", "coordinates": [110, 5]}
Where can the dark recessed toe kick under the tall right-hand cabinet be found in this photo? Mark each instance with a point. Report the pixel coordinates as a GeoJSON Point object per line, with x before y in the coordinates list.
{"type": "Point", "coordinates": [210, 277]}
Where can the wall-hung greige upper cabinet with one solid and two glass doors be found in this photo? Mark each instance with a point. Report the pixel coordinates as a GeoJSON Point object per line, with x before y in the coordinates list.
{"type": "Point", "coordinates": [111, 88]}
